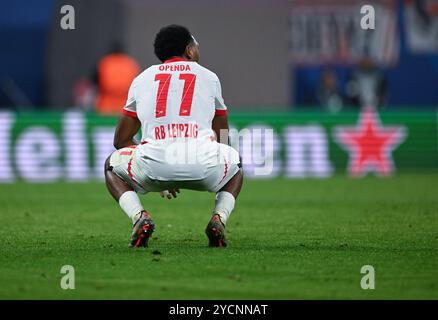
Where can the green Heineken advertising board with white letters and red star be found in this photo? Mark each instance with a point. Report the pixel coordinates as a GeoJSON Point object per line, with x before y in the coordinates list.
{"type": "Point", "coordinates": [72, 146]}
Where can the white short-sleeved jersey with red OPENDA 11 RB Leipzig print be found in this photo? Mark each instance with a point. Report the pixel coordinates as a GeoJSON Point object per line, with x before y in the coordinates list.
{"type": "Point", "coordinates": [175, 100]}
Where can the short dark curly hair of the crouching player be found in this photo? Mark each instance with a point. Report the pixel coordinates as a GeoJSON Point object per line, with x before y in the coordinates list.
{"type": "Point", "coordinates": [171, 41]}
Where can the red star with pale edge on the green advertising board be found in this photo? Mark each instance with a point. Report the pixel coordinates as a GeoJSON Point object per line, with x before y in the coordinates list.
{"type": "Point", "coordinates": [369, 144]}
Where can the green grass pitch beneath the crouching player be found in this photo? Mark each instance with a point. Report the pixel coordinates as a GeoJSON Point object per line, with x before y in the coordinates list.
{"type": "Point", "coordinates": [289, 239]}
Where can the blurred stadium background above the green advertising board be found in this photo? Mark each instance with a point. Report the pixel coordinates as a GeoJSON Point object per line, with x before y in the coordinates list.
{"type": "Point", "coordinates": [329, 63]}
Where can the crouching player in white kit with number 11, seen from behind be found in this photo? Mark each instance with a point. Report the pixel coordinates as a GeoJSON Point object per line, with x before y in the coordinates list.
{"type": "Point", "coordinates": [183, 119]}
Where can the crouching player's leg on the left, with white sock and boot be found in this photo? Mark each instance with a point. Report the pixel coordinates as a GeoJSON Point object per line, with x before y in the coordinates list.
{"type": "Point", "coordinates": [128, 199]}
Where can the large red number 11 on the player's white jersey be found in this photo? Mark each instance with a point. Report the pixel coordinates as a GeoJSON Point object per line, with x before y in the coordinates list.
{"type": "Point", "coordinates": [163, 90]}
